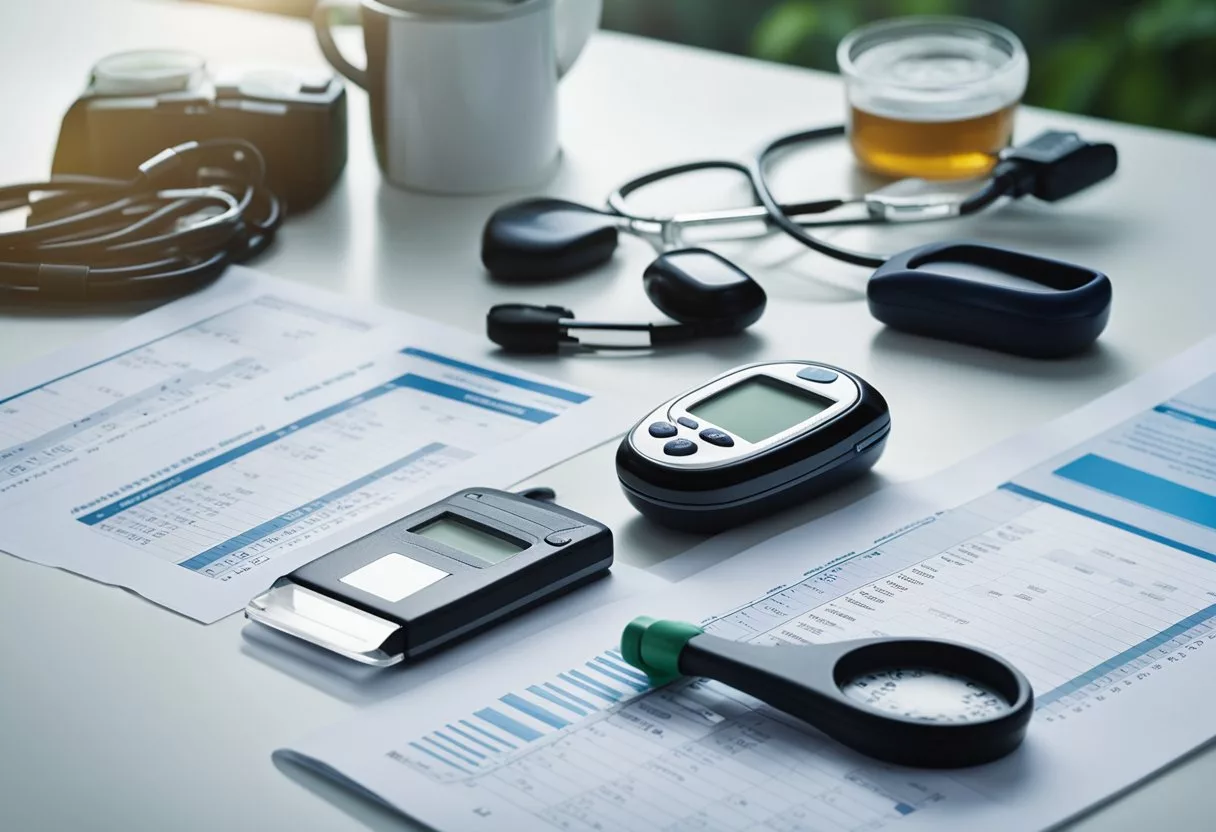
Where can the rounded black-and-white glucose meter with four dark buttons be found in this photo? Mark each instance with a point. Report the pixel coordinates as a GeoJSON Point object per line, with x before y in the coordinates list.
{"type": "Point", "coordinates": [751, 442]}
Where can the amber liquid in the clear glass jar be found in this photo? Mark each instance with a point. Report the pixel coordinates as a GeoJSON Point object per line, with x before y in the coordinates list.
{"type": "Point", "coordinates": [960, 149]}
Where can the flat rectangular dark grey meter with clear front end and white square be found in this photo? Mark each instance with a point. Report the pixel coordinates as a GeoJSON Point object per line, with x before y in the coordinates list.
{"type": "Point", "coordinates": [436, 576]}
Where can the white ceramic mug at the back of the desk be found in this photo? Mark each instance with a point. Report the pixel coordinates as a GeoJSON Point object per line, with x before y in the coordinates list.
{"type": "Point", "coordinates": [464, 93]}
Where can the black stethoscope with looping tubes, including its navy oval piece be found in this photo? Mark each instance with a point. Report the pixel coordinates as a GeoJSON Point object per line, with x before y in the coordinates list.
{"type": "Point", "coordinates": [547, 239]}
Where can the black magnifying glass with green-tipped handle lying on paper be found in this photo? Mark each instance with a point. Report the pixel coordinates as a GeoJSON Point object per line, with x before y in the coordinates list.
{"type": "Point", "coordinates": [919, 702]}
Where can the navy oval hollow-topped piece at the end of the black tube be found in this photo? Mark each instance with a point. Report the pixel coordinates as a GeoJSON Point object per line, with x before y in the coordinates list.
{"type": "Point", "coordinates": [992, 297]}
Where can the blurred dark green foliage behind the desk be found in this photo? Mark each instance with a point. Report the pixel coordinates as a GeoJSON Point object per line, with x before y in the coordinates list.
{"type": "Point", "coordinates": [1144, 61]}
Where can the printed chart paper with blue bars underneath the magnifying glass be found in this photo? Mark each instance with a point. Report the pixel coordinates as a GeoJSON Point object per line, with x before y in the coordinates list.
{"type": "Point", "coordinates": [1094, 570]}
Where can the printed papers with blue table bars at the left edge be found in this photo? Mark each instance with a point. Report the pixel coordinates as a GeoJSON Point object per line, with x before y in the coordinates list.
{"type": "Point", "coordinates": [200, 452]}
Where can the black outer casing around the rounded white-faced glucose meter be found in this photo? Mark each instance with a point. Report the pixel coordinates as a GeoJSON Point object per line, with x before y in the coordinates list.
{"type": "Point", "coordinates": [710, 501]}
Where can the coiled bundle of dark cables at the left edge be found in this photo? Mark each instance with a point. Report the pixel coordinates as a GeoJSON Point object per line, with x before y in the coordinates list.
{"type": "Point", "coordinates": [173, 228]}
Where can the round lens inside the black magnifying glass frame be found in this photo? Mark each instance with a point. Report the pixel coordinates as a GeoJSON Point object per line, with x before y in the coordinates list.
{"type": "Point", "coordinates": [926, 694]}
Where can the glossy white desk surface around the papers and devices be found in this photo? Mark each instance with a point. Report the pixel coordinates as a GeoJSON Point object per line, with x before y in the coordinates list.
{"type": "Point", "coordinates": [116, 715]}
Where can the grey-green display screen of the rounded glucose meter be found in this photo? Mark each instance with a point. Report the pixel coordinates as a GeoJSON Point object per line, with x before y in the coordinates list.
{"type": "Point", "coordinates": [759, 408]}
